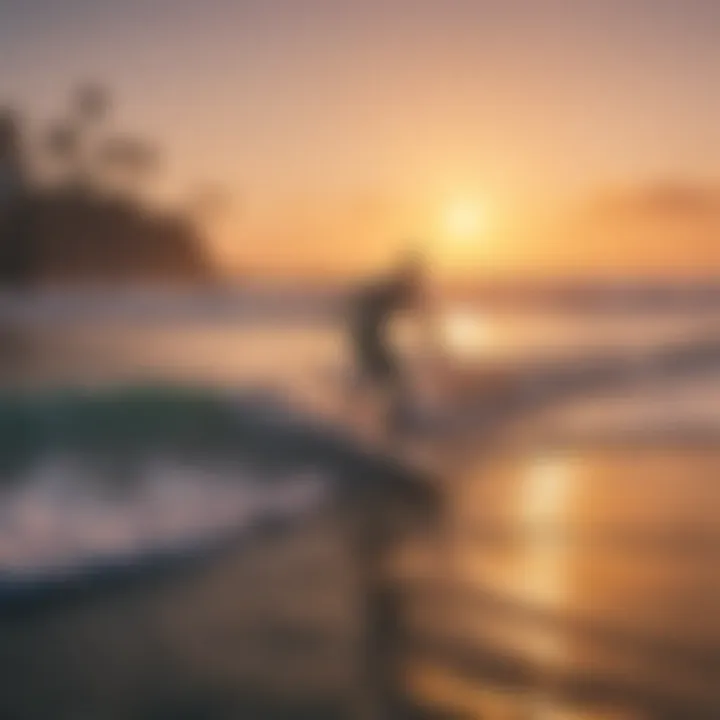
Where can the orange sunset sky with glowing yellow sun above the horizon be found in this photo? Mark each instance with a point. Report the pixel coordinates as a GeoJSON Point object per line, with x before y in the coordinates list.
{"type": "Point", "coordinates": [509, 135]}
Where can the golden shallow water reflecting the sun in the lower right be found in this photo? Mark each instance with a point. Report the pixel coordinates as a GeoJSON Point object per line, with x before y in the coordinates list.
{"type": "Point", "coordinates": [589, 576]}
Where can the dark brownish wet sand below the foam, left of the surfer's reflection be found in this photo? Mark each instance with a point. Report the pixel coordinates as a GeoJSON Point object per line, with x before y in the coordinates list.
{"type": "Point", "coordinates": [268, 630]}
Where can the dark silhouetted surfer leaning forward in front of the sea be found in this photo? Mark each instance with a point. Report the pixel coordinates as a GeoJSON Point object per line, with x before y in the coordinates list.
{"type": "Point", "coordinates": [377, 364]}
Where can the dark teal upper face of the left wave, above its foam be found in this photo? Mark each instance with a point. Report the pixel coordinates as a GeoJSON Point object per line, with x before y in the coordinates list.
{"type": "Point", "coordinates": [124, 421]}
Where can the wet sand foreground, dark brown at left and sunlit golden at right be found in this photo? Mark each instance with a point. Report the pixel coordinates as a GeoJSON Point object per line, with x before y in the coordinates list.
{"type": "Point", "coordinates": [564, 586]}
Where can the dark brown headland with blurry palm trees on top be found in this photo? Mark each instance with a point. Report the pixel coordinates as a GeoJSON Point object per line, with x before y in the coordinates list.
{"type": "Point", "coordinates": [74, 206]}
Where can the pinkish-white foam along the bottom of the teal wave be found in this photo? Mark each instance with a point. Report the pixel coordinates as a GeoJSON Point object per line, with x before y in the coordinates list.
{"type": "Point", "coordinates": [62, 514]}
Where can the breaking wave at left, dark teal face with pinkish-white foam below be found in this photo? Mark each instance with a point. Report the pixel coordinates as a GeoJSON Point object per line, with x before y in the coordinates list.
{"type": "Point", "coordinates": [90, 476]}
